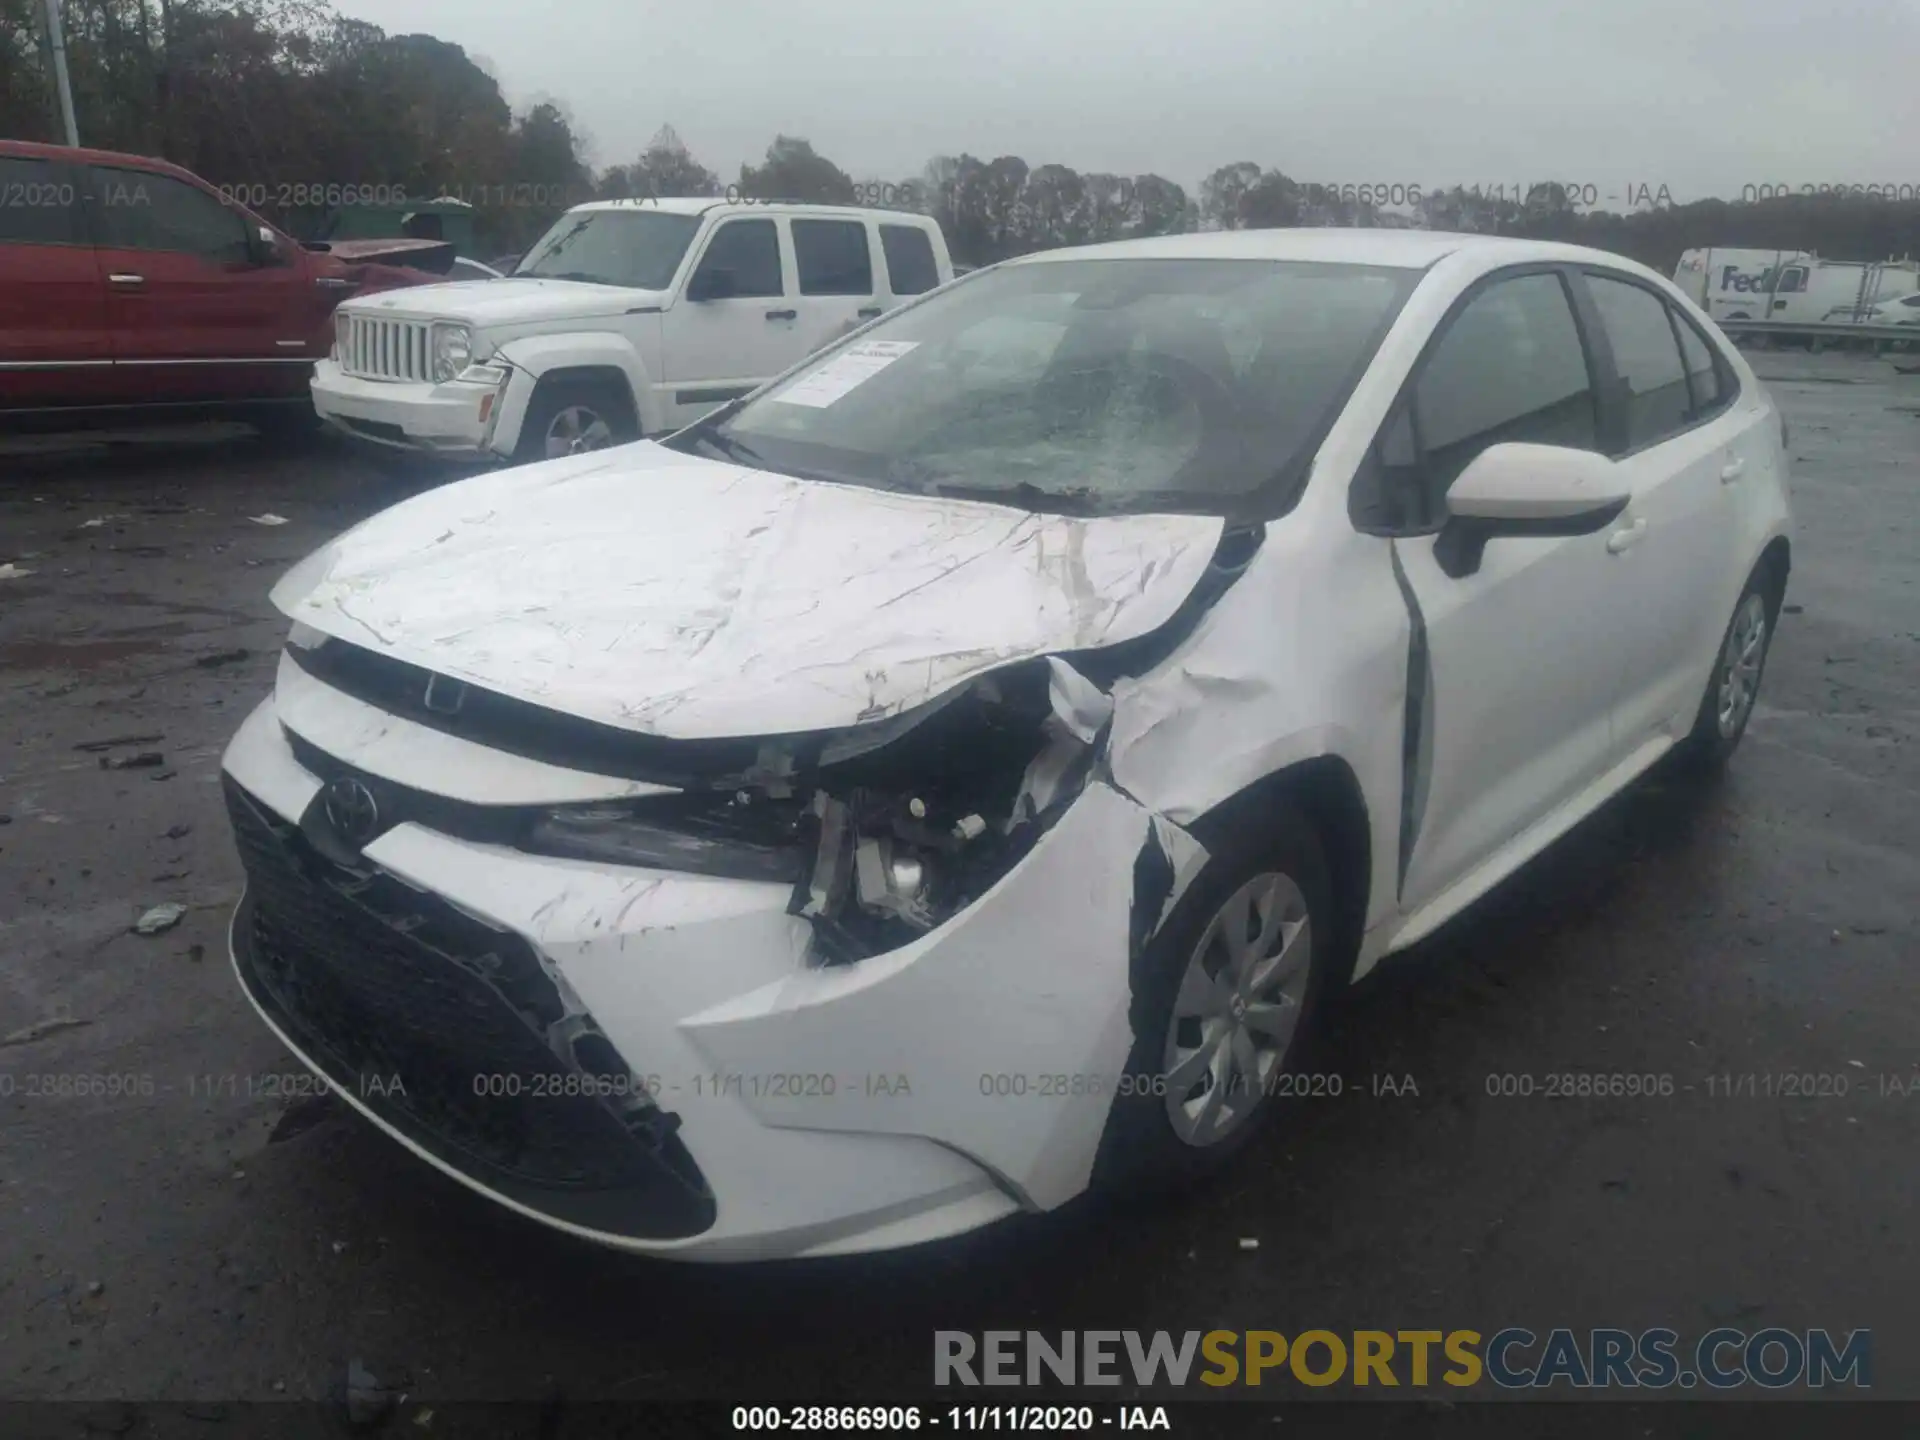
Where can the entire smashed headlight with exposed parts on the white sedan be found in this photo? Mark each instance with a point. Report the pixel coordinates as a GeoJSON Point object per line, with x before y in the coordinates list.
{"type": "Point", "coordinates": [882, 832]}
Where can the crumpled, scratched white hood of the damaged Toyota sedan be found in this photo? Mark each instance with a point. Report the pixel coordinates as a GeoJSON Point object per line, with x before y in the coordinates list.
{"type": "Point", "coordinates": [688, 598]}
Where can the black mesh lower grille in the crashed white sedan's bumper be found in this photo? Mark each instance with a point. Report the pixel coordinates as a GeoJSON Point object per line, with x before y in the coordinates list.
{"type": "Point", "coordinates": [441, 1026]}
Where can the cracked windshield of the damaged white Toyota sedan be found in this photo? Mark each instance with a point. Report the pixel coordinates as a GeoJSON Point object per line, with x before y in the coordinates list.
{"type": "Point", "coordinates": [1105, 385]}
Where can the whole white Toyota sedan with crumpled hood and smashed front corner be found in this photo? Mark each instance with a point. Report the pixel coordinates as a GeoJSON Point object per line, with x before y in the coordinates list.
{"type": "Point", "coordinates": [961, 773]}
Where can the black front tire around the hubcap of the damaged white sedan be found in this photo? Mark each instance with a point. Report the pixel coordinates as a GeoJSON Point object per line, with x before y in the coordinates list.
{"type": "Point", "coordinates": [1141, 1149]}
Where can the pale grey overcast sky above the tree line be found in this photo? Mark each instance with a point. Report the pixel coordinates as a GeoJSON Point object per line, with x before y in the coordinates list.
{"type": "Point", "coordinates": [1700, 97]}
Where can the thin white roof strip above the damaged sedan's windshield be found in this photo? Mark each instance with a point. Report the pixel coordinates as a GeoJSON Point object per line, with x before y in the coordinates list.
{"type": "Point", "coordinates": [1412, 251]}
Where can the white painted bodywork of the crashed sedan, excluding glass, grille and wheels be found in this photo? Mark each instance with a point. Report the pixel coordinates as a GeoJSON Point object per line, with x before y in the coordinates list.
{"type": "Point", "coordinates": [688, 600]}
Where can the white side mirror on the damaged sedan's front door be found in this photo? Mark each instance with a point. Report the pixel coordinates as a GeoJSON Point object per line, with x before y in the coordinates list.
{"type": "Point", "coordinates": [1527, 491]}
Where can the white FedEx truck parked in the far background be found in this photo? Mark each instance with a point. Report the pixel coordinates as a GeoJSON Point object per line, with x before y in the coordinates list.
{"type": "Point", "coordinates": [1794, 287]}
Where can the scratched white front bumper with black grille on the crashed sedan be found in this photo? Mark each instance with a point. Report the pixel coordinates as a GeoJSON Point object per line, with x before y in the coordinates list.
{"type": "Point", "coordinates": [788, 1109]}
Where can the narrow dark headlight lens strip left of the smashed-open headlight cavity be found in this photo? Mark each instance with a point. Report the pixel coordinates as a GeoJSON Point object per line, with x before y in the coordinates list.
{"type": "Point", "coordinates": [702, 838]}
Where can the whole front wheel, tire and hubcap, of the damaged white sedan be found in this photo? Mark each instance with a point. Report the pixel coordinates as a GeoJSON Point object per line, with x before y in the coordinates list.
{"type": "Point", "coordinates": [1226, 1005]}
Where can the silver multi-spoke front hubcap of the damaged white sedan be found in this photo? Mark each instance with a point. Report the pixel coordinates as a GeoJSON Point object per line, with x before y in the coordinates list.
{"type": "Point", "coordinates": [1237, 1009]}
